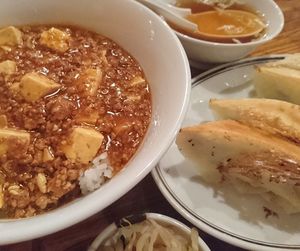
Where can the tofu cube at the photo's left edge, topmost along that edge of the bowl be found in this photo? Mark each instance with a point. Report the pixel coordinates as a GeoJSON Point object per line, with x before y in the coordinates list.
{"type": "Point", "coordinates": [10, 36]}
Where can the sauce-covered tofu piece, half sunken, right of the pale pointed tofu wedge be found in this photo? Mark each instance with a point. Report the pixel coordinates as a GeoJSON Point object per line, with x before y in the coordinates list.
{"type": "Point", "coordinates": [91, 80]}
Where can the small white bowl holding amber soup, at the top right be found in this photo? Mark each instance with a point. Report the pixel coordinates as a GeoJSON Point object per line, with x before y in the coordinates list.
{"type": "Point", "coordinates": [212, 52]}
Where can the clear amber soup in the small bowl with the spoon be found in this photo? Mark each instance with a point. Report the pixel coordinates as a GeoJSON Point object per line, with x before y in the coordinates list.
{"type": "Point", "coordinates": [222, 25]}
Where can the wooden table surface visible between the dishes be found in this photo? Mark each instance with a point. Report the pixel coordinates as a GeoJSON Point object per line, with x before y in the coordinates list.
{"type": "Point", "coordinates": [146, 197]}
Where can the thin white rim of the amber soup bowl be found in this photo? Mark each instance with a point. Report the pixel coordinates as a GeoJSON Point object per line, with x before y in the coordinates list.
{"type": "Point", "coordinates": [279, 28]}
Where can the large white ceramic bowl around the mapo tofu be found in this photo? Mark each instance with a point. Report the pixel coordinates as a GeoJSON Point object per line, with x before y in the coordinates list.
{"type": "Point", "coordinates": [157, 49]}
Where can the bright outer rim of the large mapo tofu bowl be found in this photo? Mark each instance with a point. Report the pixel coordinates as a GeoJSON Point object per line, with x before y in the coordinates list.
{"type": "Point", "coordinates": [69, 214]}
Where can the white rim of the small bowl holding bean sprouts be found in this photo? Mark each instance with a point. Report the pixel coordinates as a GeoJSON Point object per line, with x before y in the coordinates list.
{"type": "Point", "coordinates": [109, 231]}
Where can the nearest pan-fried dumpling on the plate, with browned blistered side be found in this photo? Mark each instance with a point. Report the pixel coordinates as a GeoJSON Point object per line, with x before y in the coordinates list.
{"type": "Point", "coordinates": [249, 159]}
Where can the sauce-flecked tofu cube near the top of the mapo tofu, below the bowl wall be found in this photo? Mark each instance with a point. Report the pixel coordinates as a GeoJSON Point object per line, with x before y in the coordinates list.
{"type": "Point", "coordinates": [55, 39]}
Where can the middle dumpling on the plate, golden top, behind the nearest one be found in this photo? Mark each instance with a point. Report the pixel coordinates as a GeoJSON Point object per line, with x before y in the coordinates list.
{"type": "Point", "coordinates": [273, 116]}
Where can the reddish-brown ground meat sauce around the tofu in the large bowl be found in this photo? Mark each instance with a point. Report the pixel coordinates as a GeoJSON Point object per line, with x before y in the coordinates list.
{"type": "Point", "coordinates": [38, 177]}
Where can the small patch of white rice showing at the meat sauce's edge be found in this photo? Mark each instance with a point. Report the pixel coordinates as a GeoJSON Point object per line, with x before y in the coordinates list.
{"type": "Point", "coordinates": [96, 175]}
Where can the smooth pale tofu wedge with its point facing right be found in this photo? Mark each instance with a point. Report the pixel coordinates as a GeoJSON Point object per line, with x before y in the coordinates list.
{"type": "Point", "coordinates": [34, 86]}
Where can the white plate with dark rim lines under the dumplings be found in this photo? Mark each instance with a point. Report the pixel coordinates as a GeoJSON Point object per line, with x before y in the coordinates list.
{"type": "Point", "coordinates": [239, 220]}
